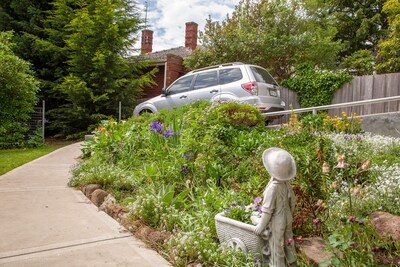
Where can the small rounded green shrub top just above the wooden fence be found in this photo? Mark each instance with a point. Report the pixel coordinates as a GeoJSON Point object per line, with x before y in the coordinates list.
{"type": "Point", "coordinates": [360, 63]}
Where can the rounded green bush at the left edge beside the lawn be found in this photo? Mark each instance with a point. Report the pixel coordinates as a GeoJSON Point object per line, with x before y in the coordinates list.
{"type": "Point", "coordinates": [18, 89]}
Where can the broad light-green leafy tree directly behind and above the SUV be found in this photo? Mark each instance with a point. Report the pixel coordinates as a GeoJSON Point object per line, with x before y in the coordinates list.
{"type": "Point", "coordinates": [274, 34]}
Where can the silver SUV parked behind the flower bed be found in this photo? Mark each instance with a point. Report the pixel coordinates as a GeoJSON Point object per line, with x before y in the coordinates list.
{"type": "Point", "coordinates": [232, 81]}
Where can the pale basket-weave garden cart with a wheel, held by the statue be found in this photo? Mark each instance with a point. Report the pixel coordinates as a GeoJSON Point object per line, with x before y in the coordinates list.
{"type": "Point", "coordinates": [240, 235]}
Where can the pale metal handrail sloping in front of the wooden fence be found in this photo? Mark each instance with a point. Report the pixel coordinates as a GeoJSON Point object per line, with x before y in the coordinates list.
{"type": "Point", "coordinates": [333, 106]}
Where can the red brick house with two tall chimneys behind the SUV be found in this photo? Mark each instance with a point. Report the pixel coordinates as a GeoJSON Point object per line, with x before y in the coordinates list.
{"type": "Point", "coordinates": [169, 62]}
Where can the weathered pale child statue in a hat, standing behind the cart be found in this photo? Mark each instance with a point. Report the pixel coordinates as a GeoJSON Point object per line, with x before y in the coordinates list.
{"type": "Point", "coordinates": [277, 208]}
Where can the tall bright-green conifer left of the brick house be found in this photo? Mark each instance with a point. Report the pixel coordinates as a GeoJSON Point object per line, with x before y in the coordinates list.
{"type": "Point", "coordinates": [98, 35]}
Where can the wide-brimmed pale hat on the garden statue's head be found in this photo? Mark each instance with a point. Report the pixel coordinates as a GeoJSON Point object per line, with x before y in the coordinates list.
{"type": "Point", "coordinates": [279, 163]}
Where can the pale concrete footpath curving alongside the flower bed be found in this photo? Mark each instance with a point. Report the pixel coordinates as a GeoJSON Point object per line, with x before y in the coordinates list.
{"type": "Point", "coordinates": [43, 222]}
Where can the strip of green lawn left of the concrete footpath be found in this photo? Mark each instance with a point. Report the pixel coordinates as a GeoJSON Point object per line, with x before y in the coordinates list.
{"type": "Point", "coordinates": [12, 158]}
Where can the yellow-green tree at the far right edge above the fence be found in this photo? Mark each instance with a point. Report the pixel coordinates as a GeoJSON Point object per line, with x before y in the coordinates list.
{"type": "Point", "coordinates": [389, 49]}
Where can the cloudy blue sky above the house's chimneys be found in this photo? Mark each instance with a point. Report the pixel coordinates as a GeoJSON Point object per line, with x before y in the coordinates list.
{"type": "Point", "coordinates": [167, 18]}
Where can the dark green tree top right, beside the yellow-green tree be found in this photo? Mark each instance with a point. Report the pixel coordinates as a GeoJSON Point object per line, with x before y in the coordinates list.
{"type": "Point", "coordinates": [360, 24]}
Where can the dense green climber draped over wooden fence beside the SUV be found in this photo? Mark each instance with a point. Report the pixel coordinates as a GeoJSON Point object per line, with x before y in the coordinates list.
{"type": "Point", "coordinates": [315, 87]}
